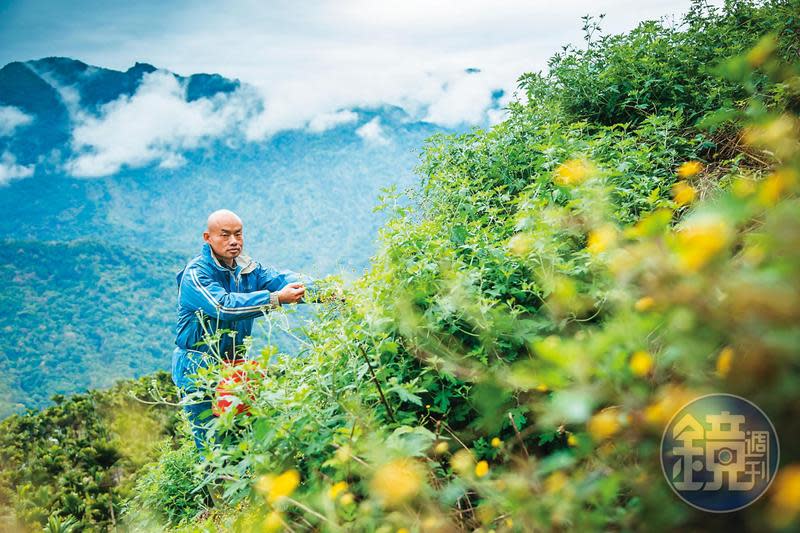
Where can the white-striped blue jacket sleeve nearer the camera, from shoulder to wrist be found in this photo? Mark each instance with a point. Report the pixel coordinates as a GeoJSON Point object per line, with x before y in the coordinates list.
{"type": "Point", "coordinates": [201, 292]}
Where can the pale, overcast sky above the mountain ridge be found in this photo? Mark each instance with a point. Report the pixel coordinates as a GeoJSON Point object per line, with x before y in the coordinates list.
{"type": "Point", "coordinates": [311, 60]}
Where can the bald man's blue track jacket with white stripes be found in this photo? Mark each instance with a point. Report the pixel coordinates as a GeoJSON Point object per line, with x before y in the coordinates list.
{"type": "Point", "coordinates": [222, 298]}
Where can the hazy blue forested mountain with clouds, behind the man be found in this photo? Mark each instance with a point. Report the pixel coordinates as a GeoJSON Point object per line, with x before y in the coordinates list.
{"type": "Point", "coordinates": [306, 197]}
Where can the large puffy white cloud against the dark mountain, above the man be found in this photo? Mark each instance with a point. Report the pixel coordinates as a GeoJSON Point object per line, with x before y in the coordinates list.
{"type": "Point", "coordinates": [154, 125]}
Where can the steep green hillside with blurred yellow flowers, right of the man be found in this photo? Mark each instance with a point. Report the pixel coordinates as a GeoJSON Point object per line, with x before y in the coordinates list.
{"type": "Point", "coordinates": [539, 307]}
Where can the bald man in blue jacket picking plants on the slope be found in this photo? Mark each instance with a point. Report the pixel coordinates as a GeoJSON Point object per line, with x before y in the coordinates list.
{"type": "Point", "coordinates": [222, 289]}
